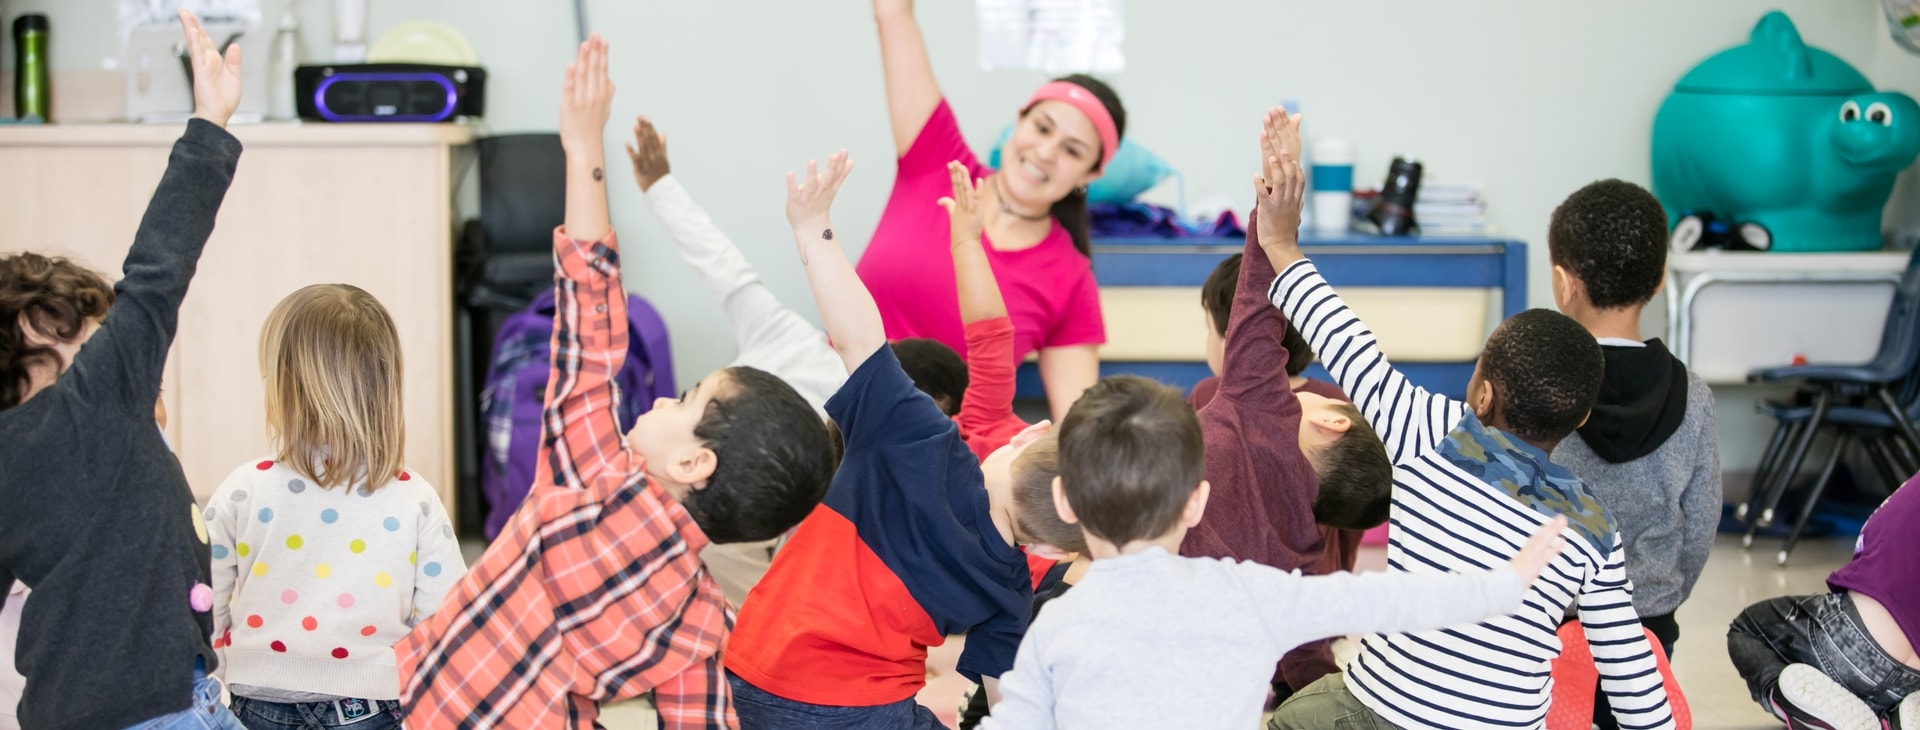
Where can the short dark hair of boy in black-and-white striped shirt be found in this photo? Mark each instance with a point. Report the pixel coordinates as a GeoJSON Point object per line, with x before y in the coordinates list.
{"type": "Point", "coordinates": [1545, 370]}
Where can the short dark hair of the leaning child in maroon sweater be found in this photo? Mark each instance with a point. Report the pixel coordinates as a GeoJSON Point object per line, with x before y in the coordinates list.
{"type": "Point", "coordinates": [1356, 477]}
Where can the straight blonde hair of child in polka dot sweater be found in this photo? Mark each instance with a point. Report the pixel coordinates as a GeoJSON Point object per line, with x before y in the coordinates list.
{"type": "Point", "coordinates": [329, 356]}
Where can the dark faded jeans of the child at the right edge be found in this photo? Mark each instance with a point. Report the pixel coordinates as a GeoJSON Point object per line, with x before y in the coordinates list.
{"type": "Point", "coordinates": [1827, 633]}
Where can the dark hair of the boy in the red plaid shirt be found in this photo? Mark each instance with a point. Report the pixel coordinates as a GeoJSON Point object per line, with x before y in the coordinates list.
{"type": "Point", "coordinates": [775, 460]}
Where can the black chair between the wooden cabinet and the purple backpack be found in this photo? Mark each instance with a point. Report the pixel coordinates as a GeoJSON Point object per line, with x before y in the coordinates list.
{"type": "Point", "coordinates": [500, 264]}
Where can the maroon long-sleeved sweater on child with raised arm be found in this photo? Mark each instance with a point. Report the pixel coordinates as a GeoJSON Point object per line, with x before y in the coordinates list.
{"type": "Point", "coordinates": [1262, 504]}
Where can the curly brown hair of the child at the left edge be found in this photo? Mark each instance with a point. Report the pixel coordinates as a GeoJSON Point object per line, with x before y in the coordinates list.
{"type": "Point", "coordinates": [57, 299]}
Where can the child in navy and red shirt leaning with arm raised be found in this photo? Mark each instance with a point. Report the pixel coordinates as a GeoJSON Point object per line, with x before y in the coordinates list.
{"type": "Point", "coordinates": [915, 543]}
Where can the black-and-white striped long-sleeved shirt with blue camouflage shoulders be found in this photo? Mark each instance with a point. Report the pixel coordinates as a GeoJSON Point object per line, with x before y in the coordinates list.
{"type": "Point", "coordinates": [1466, 499]}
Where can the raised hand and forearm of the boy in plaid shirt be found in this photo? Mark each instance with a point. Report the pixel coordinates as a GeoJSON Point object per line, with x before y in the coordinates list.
{"type": "Point", "coordinates": [587, 99]}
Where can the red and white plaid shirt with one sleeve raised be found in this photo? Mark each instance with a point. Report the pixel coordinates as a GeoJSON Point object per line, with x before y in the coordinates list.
{"type": "Point", "coordinates": [594, 591]}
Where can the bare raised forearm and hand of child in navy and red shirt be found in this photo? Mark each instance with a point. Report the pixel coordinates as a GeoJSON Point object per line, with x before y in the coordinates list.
{"type": "Point", "coordinates": [846, 306]}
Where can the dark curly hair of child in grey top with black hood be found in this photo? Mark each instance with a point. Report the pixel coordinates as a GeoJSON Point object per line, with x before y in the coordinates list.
{"type": "Point", "coordinates": [1614, 237]}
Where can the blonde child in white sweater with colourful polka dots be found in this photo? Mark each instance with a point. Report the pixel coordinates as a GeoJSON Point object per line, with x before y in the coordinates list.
{"type": "Point", "coordinates": [318, 568]}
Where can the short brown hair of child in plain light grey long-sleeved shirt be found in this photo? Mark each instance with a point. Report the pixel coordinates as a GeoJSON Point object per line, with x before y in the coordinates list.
{"type": "Point", "coordinates": [1130, 458]}
